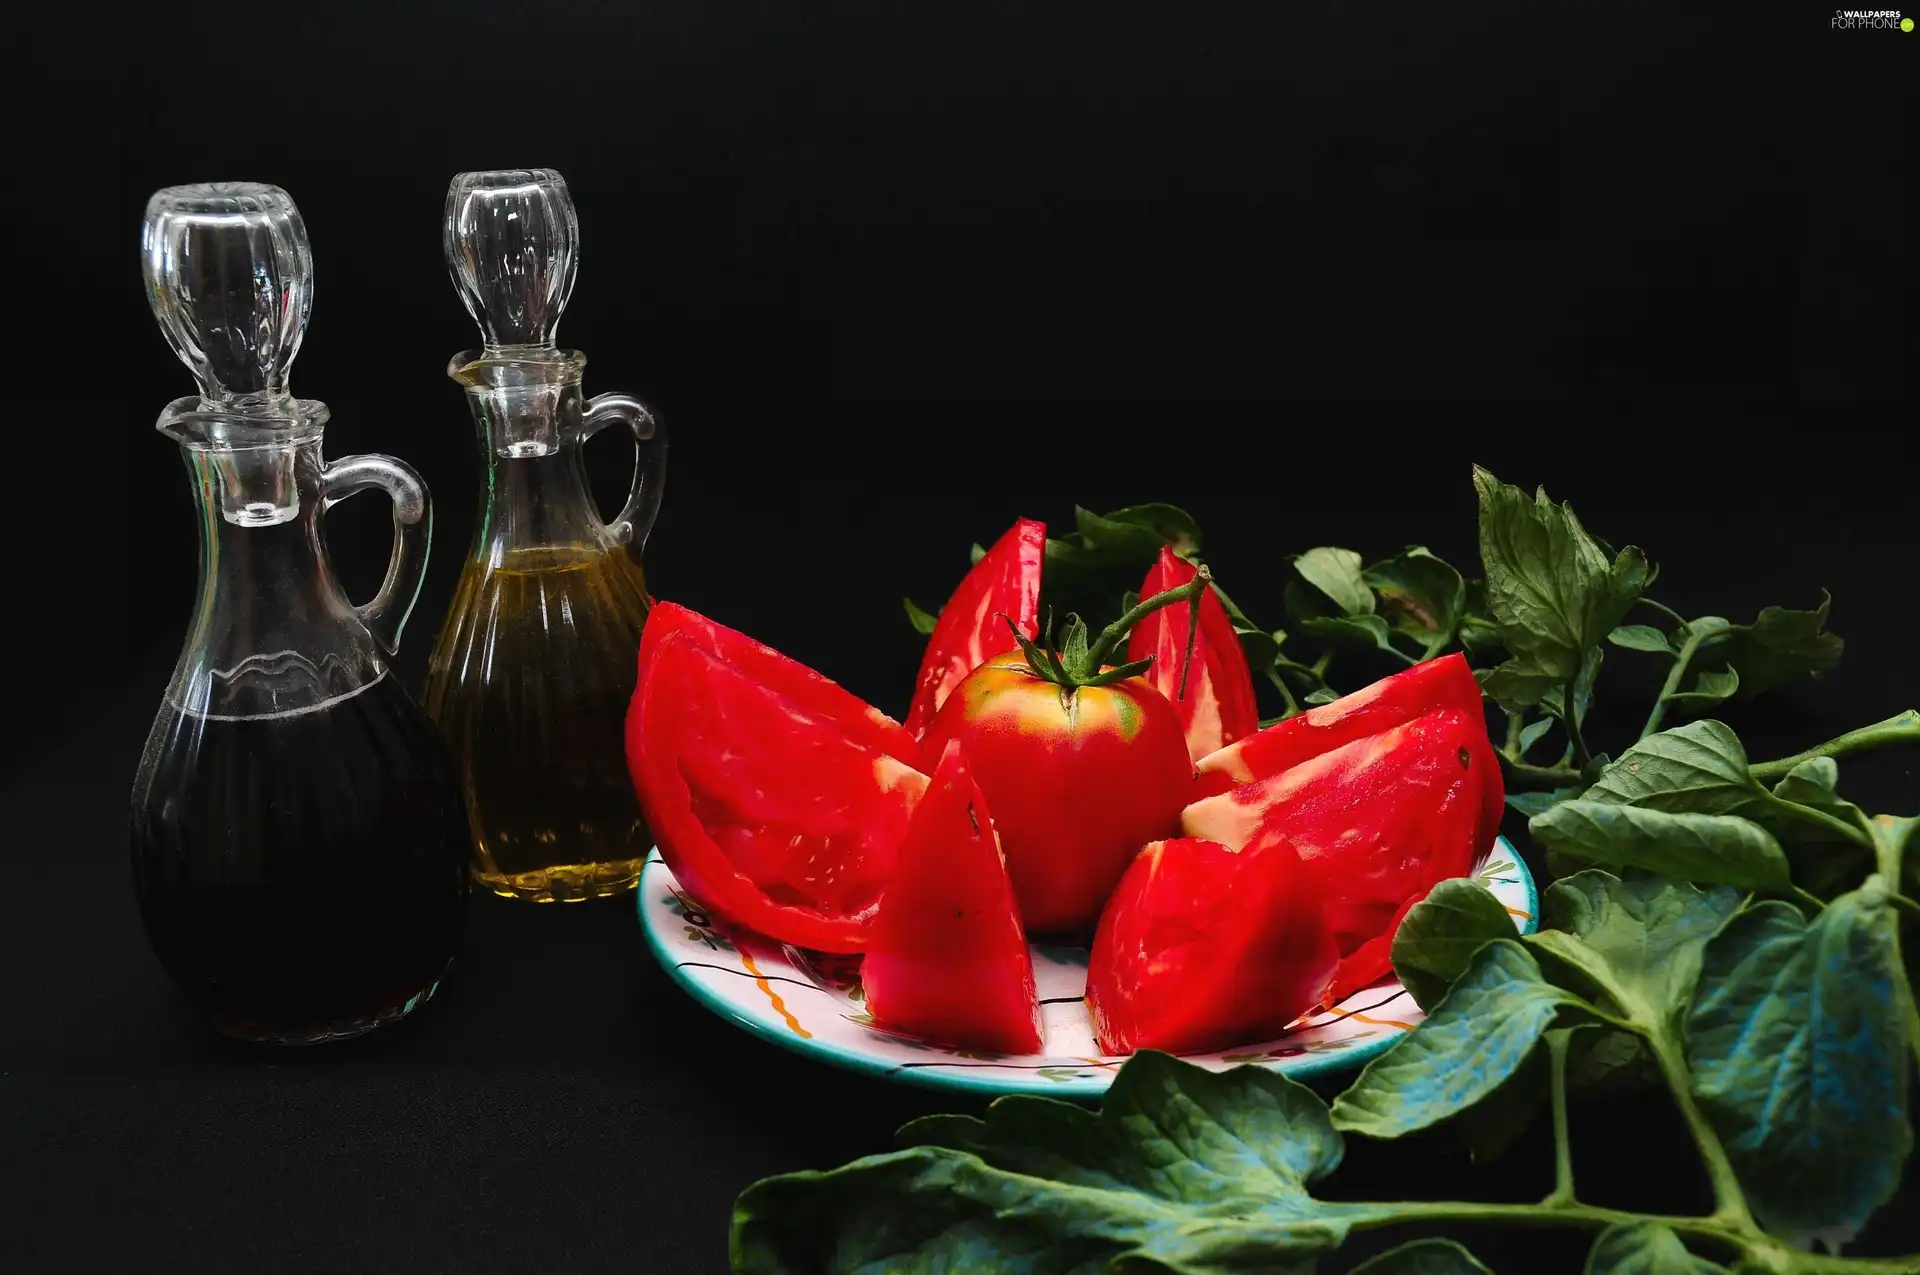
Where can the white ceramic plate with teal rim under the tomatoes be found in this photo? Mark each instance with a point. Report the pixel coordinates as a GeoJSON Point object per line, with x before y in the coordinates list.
{"type": "Point", "coordinates": [811, 1003]}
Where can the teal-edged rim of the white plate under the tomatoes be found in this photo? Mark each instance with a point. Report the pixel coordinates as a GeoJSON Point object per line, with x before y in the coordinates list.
{"type": "Point", "coordinates": [961, 1080]}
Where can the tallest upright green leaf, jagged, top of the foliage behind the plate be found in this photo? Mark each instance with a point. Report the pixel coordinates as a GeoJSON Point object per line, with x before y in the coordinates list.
{"type": "Point", "coordinates": [1548, 587]}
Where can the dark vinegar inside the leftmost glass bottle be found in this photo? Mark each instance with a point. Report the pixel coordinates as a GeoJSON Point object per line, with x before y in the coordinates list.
{"type": "Point", "coordinates": [302, 875]}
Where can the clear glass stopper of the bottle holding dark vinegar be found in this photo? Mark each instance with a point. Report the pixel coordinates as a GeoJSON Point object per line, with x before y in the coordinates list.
{"type": "Point", "coordinates": [229, 276]}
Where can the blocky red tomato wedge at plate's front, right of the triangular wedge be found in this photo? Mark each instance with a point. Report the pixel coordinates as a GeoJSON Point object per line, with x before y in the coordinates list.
{"type": "Point", "coordinates": [1205, 950]}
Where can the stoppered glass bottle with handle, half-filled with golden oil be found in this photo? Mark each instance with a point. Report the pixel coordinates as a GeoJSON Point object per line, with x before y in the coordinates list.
{"type": "Point", "coordinates": [537, 662]}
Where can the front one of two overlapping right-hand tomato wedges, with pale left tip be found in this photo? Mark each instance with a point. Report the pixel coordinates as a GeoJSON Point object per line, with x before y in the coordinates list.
{"type": "Point", "coordinates": [1376, 821]}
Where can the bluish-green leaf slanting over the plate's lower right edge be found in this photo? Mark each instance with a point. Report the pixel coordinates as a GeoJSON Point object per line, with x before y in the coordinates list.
{"type": "Point", "coordinates": [1476, 1040]}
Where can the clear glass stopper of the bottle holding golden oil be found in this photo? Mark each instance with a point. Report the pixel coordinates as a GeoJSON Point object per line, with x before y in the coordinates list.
{"type": "Point", "coordinates": [512, 241]}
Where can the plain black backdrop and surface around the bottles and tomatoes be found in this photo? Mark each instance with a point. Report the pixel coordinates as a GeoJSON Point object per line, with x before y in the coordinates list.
{"type": "Point", "coordinates": [894, 277]}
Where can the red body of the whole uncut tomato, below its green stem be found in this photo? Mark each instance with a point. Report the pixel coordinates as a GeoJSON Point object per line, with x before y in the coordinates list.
{"type": "Point", "coordinates": [1078, 782]}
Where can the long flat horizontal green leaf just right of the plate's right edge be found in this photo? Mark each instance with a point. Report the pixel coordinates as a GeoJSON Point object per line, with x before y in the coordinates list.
{"type": "Point", "coordinates": [1716, 850]}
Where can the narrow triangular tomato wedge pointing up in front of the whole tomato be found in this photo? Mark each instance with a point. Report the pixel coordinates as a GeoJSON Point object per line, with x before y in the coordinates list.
{"type": "Point", "coordinates": [948, 959]}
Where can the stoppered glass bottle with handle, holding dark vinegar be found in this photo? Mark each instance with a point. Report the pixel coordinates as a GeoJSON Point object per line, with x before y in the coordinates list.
{"type": "Point", "coordinates": [299, 844]}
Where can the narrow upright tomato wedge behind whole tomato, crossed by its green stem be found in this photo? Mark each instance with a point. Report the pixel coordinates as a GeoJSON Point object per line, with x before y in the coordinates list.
{"type": "Point", "coordinates": [1218, 708]}
